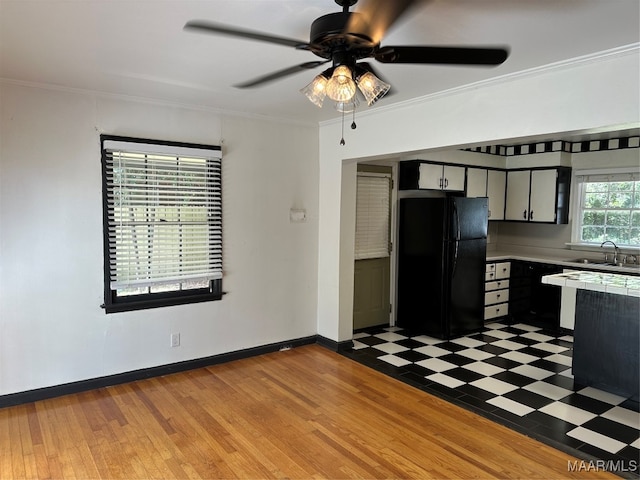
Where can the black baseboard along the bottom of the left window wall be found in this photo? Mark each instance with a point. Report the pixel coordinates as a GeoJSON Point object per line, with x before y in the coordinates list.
{"type": "Point", "coordinates": [29, 396]}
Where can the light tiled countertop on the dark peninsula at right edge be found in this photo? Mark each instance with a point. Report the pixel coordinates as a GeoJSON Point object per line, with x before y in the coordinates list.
{"type": "Point", "coordinates": [615, 283]}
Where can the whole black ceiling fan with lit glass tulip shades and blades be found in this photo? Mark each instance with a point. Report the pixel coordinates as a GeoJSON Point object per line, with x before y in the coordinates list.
{"type": "Point", "coordinates": [345, 38]}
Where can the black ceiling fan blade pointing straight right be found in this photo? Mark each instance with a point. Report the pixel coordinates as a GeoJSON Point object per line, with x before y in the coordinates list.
{"type": "Point", "coordinates": [442, 55]}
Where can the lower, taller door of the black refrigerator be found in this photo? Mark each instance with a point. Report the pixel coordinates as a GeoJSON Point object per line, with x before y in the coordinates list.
{"type": "Point", "coordinates": [466, 286]}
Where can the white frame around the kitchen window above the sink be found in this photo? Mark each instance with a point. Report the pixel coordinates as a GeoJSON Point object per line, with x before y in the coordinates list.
{"type": "Point", "coordinates": [578, 201]}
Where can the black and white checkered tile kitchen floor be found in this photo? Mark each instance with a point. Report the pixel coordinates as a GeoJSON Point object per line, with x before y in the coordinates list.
{"type": "Point", "coordinates": [518, 375]}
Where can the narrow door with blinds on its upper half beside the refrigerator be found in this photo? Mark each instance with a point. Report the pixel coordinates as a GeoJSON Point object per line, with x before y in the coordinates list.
{"type": "Point", "coordinates": [371, 305]}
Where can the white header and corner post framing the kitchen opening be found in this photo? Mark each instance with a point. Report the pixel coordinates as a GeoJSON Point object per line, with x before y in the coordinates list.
{"type": "Point", "coordinates": [596, 94]}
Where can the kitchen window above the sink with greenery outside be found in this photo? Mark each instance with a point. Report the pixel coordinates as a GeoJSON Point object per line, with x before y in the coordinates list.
{"type": "Point", "coordinates": [609, 207]}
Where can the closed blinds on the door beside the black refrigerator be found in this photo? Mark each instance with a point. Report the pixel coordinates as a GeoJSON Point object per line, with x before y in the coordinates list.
{"type": "Point", "coordinates": [372, 215]}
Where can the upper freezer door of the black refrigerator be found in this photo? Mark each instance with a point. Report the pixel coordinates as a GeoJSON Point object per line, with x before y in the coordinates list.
{"type": "Point", "coordinates": [468, 218]}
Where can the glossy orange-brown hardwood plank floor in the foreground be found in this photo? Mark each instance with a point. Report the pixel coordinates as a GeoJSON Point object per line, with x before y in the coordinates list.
{"type": "Point", "coordinates": [302, 413]}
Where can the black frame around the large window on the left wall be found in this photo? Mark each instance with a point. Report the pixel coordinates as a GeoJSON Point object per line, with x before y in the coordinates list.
{"type": "Point", "coordinates": [114, 303]}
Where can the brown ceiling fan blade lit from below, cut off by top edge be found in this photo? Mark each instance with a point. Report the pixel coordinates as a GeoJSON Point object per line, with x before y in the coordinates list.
{"type": "Point", "coordinates": [374, 17]}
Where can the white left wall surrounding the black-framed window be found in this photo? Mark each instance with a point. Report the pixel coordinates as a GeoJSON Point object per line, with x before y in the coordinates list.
{"type": "Point", "coordinates": [52, 329]}
